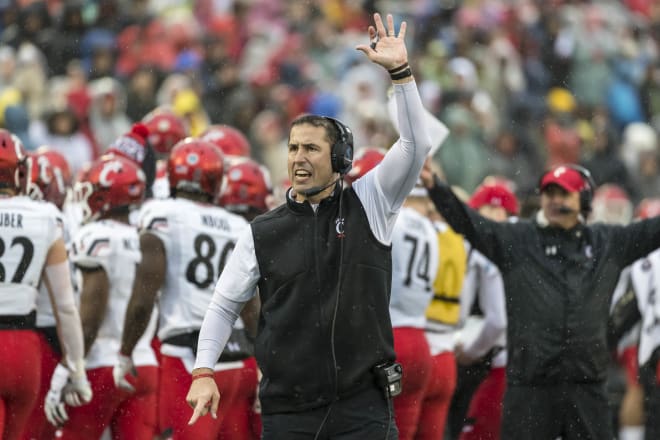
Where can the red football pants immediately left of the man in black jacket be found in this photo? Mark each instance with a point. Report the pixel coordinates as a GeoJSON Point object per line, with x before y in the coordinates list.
{"type": "Point", "coordinates": [485, 412]}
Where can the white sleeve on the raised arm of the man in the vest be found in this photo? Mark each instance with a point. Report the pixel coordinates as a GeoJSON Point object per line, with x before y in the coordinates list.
{"type": "Point", "coordinates": [383, 189]}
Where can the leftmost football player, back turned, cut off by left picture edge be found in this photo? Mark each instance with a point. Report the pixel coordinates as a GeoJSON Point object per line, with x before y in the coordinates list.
{"type": "Point", "coordinates": [33, 251]}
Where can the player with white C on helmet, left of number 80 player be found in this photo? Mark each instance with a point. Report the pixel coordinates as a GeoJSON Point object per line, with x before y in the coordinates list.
{"type": "Point", "coordinates": [106, 252]}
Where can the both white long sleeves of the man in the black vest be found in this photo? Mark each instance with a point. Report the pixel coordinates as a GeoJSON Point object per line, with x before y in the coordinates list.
{"type": "Point", "coordinates": [381, 191]}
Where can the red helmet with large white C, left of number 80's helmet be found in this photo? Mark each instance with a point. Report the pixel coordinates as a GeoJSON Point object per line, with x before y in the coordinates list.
{"type": "Point", "coordinates": [110, 182]}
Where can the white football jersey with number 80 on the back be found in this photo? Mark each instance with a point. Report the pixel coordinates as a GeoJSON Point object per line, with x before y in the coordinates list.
{"type": "Point", "coordinates": [198, 239]}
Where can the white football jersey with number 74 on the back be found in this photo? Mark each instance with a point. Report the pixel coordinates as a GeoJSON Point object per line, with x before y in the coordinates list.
{"type": "Point", "coordinates": [414, 265]}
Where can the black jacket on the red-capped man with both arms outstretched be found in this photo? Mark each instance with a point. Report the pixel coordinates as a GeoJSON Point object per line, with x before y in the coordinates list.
{"type": "Point", "coordinates": [558, 285]}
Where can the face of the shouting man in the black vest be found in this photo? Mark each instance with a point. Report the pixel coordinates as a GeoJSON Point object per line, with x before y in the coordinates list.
{"type": "Point", "coordinates": [309, 160]}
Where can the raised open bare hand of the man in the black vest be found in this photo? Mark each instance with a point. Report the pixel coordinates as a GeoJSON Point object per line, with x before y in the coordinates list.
{"type": "Point", "coordinates": [387, 48]}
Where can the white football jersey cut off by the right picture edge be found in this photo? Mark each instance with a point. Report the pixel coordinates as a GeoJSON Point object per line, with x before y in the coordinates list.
{"type": "Point", "coordinates": [645, 276]}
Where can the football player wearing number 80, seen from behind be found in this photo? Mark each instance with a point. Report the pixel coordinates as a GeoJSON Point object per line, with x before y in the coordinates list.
{"type": "Point", "coordinates": [185, 242]}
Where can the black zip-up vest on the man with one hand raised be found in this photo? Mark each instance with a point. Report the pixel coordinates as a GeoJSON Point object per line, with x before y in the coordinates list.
{"type": "Point", "coordinates": [298, 252]}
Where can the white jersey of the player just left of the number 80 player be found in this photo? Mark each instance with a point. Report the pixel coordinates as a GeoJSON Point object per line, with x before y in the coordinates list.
{"type": "Point", "coordinates": [114, 247]}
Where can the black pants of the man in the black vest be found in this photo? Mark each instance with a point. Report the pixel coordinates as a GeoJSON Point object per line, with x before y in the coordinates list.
{"type": "Point", "coordinates": [364, 416]}
